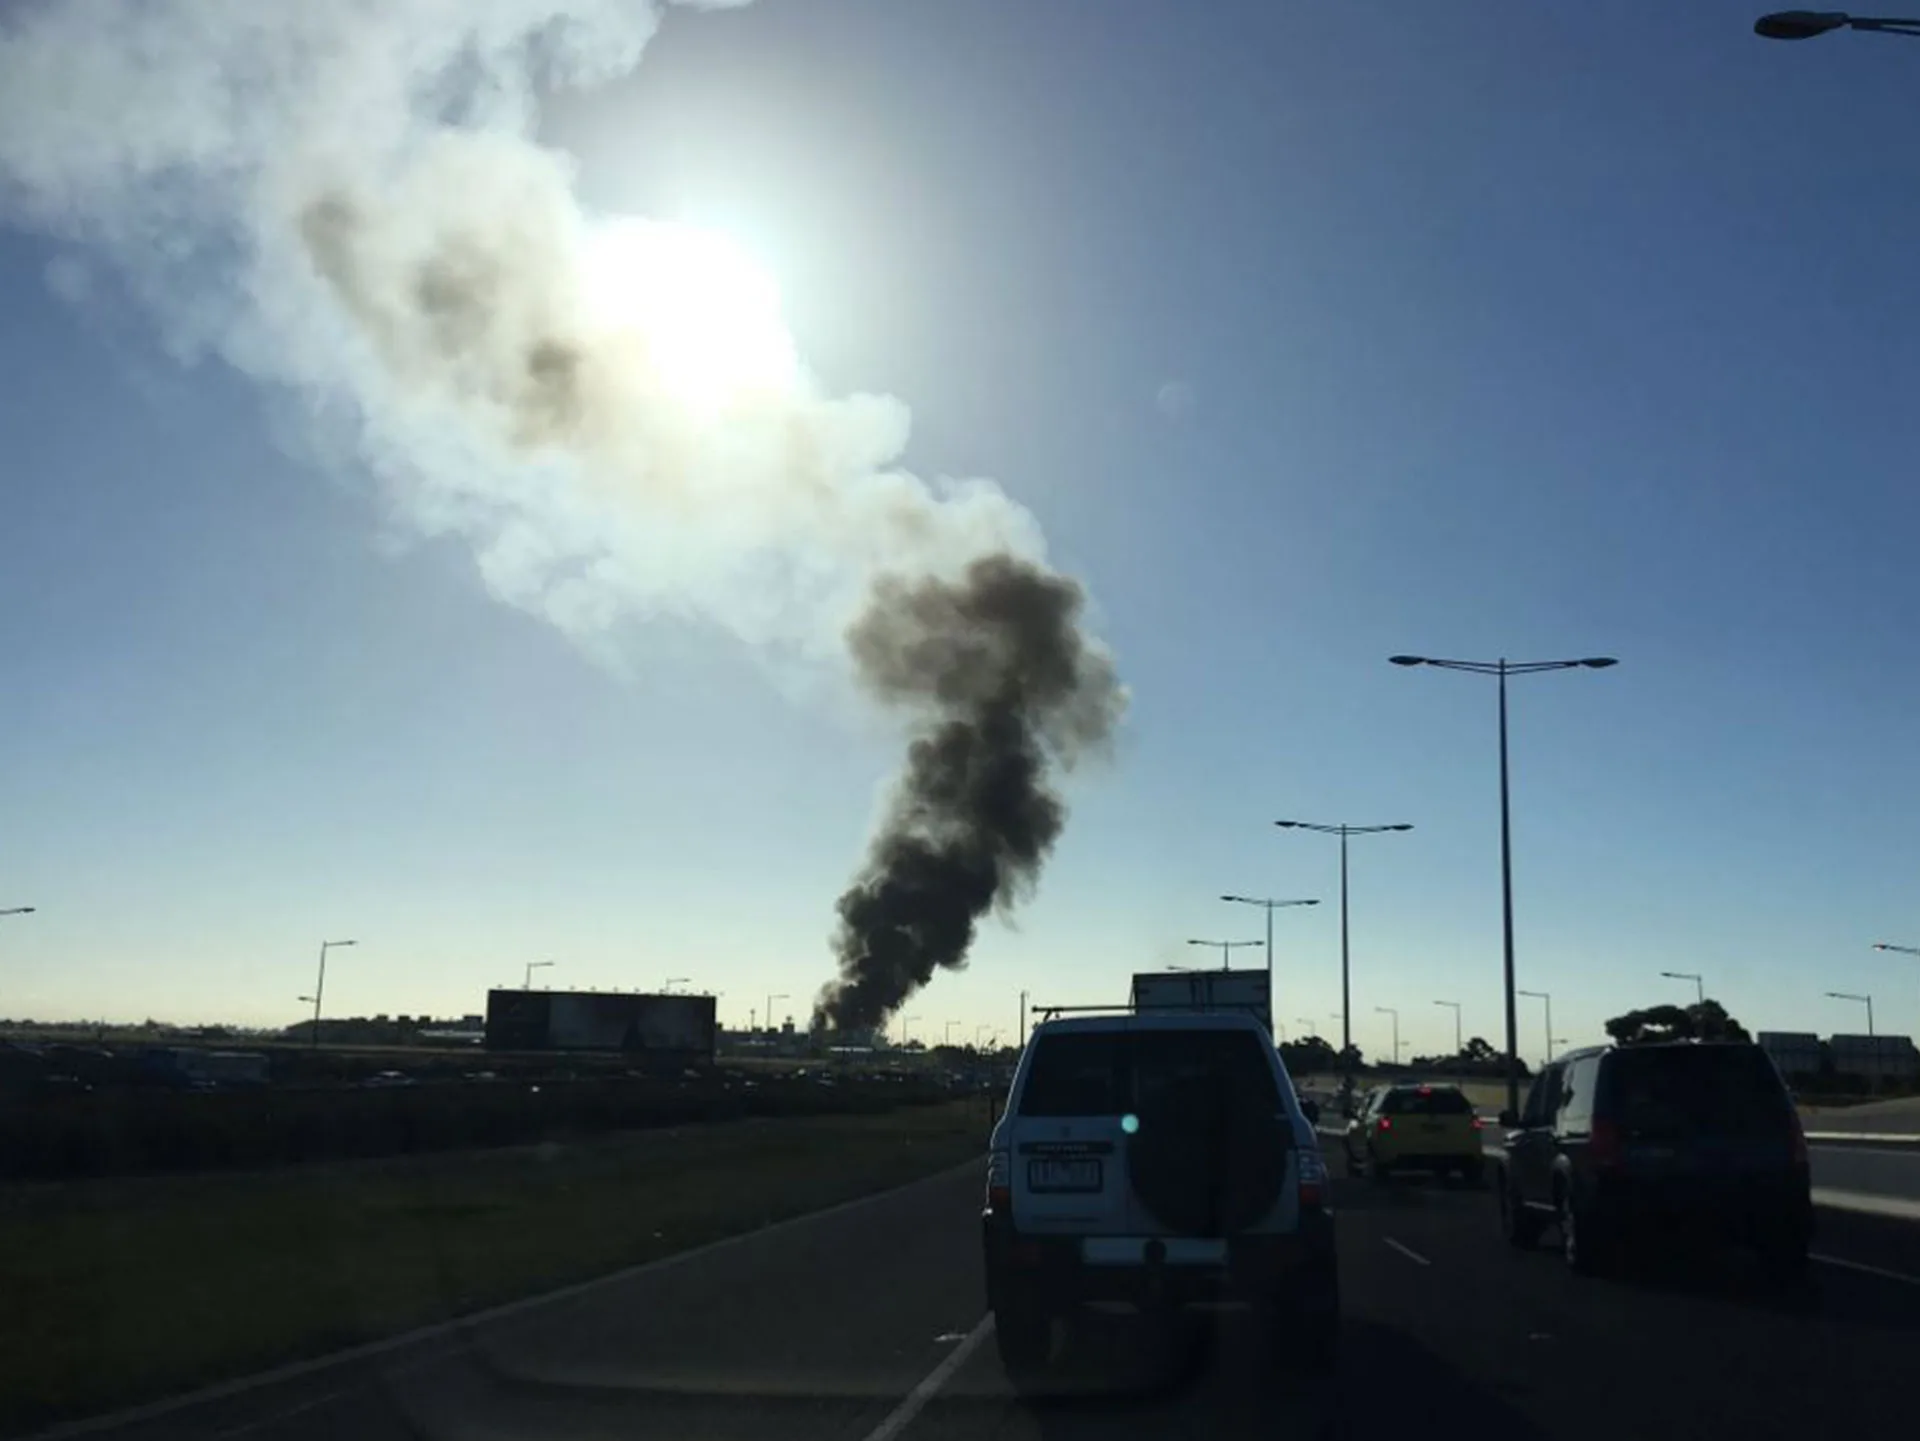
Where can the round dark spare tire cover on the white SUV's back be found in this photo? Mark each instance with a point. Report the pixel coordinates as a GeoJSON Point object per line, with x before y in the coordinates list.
{"type": "Point", "coordinates": [1205, 1162]}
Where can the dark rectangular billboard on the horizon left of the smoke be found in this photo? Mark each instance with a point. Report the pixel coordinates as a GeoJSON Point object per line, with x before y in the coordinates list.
{"type": "Point", "coordinates": [658, 1028]}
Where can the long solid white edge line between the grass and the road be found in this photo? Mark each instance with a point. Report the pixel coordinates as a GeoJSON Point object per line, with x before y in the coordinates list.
{"type": "Point", "coordinates": [452, 1329]}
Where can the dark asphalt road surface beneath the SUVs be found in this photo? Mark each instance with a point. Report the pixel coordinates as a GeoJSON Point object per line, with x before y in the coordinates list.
{"type": "Point", "coordinates": [821, 1331]}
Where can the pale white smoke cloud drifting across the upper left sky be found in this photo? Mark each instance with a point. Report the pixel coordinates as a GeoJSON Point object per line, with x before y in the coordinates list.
{"type": "Point", "coordinates": [347, 202]}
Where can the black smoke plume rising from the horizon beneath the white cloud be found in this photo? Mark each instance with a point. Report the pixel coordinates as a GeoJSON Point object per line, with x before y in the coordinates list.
{"type": "Point", "coordinates": [1005, 686]}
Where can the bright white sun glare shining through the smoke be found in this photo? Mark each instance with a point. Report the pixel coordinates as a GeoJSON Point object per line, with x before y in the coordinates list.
{"type": "Point", "coordinates": [704, 312]}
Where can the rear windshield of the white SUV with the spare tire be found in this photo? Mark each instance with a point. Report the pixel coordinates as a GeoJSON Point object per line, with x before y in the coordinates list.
{"type": "Point", "coordinates": [1109, 1074]}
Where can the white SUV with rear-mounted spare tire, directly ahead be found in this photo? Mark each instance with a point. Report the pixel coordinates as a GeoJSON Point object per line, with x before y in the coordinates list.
{"type": "Point", "coordinates": [1159, 1160]}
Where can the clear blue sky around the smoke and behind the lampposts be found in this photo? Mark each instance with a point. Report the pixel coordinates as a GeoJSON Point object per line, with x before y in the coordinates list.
{"type": "Point", "coordinates": [1554, 333]}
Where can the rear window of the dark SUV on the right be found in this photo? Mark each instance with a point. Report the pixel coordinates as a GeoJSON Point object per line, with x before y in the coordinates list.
{"type": "Point", "coordinates": [1696, 1091]}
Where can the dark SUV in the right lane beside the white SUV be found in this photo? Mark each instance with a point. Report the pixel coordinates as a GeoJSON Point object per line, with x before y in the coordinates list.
{"type": "Point", "coordinates": [1685, 1141]}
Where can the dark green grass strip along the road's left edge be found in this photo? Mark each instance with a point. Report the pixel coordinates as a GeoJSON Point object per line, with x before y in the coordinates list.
{"type": "Point", "coordinates": [124, 1290]}
